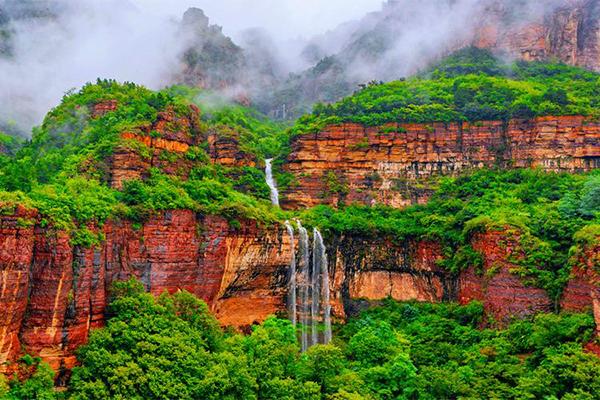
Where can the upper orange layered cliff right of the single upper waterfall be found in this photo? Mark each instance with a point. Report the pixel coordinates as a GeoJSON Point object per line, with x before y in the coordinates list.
{"type": "Point", "coordinates": [352, 163]}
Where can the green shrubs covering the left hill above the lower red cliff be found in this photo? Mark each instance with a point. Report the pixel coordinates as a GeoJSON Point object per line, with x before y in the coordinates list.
{"type": "Point", "coordinates": [64, 171]}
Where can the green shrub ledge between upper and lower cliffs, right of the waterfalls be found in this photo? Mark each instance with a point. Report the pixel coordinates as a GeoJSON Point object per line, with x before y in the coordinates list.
{"type": "Point", "coordinates": [542, 211]}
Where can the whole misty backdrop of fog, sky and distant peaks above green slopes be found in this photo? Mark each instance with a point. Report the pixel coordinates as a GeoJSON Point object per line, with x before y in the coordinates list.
{"type": "Point", "coordinates": [328, 47]}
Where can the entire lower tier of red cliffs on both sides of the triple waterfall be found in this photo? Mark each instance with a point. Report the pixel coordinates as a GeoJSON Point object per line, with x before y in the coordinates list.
{"type": "Point", "coordinates": [53, 293]}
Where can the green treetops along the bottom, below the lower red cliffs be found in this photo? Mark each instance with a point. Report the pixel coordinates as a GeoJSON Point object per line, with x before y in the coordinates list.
{"type": "Point", "coordinates": [171, 347]}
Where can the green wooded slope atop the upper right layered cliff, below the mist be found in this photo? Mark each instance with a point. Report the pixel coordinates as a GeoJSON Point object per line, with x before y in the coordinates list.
{"type": "Point", "coordinates": [470, 85]}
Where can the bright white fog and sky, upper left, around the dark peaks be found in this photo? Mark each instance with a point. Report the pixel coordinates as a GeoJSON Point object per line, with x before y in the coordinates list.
{"type": "Point", "coordinates": [92, 40]}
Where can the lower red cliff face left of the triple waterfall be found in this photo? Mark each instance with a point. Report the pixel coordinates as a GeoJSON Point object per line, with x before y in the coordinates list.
{"type": "Point", "coordinates": [53, 293]}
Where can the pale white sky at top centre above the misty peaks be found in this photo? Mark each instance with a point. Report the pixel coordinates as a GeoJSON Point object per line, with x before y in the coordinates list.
{"type": "Point", "coordinates": [284, 18]}
